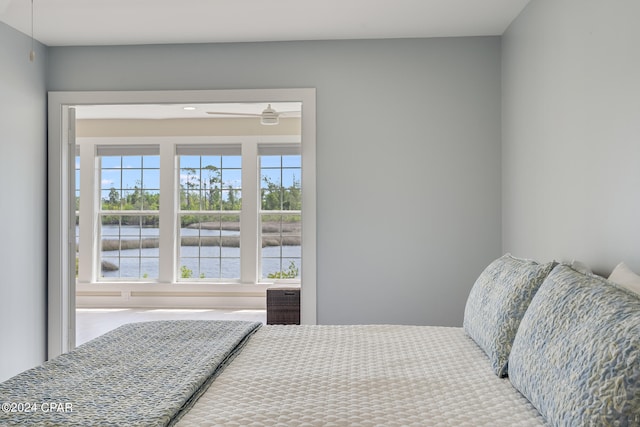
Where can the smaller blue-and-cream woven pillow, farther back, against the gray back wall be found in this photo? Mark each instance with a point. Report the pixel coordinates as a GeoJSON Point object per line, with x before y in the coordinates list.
{"type": "Point", "coordinates": [498, 300]}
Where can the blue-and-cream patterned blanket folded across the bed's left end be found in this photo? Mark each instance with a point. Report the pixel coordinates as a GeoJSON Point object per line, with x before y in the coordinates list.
{"type": "Point", "coordinates": [141, 374]}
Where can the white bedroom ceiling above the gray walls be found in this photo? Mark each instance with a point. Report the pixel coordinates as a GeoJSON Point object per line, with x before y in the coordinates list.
{"type": "Point", "coordinates": [119, 22]}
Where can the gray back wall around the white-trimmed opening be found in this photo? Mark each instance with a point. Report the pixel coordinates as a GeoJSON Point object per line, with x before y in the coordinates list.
{"type": "Point", "coordinates": [408, 156]}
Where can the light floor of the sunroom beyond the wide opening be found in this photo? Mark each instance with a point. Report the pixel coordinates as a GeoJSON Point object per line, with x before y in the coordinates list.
{"type": "Point", "coordinates": [93, 322]}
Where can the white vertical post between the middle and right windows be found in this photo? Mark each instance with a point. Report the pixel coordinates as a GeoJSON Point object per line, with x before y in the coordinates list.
{"type": "Point", "coordinates": [249, 234]}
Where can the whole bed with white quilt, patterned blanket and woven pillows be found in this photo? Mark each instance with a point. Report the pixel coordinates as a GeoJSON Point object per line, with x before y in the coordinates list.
{"type": "Point", "coordinates": [541, 344]}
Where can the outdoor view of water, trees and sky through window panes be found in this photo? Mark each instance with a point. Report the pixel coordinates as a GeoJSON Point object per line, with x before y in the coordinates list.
{"type": "Point", "coordinates": [209, 195]}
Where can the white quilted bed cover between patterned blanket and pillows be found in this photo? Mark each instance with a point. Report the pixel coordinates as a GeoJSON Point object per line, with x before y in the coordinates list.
{"type": "Point", "coordinates": [375, 375]}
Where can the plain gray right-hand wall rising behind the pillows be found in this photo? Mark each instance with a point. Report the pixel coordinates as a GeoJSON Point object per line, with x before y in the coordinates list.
{"type": "Point", "coordinates": [571, 132]}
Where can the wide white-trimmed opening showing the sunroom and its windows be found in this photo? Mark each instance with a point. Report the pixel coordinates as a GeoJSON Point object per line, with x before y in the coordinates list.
{"type": "Point", "coordinates": [207, 239]}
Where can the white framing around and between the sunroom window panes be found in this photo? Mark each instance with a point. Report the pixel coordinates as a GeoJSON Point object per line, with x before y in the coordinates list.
{"type": "Point", "coordinates": [169, 149]}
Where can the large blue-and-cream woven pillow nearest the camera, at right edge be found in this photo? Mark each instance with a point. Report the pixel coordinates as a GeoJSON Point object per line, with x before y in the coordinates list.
{"type": "Point", "coordinates": [576, 355]}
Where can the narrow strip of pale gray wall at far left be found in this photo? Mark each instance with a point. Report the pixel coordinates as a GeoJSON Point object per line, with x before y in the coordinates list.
{"type": "Point", "coordinates": [24, 201]}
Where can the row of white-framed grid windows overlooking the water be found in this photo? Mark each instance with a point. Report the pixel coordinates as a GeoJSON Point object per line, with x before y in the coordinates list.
{"type": "Point", "coordinates": [231, 211]}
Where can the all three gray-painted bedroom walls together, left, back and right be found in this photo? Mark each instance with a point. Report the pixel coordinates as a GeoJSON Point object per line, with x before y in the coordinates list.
{"type": "Point", "coordinates": [409, 155]}
